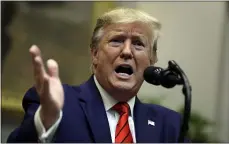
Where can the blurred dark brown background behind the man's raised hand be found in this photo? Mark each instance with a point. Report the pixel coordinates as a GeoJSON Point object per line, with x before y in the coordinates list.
{"type": "Point", "coordinates": [61, 32]}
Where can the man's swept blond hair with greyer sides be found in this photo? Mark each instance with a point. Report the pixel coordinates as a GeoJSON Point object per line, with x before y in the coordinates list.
{"type": "Point", "coordinates": [124, 15]}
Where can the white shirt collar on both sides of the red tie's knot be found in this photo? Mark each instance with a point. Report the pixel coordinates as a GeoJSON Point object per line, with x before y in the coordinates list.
{"type": "Point", "coordinates": [109, 101]}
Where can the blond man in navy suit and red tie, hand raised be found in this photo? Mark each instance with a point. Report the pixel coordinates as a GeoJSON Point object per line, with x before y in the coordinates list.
{"type": "Point", "coordinates": [105, 108]}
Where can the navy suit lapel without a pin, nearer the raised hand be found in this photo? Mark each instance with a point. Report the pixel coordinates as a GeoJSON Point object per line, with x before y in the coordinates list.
{"type": "Point", "coordinates": [94, 110]}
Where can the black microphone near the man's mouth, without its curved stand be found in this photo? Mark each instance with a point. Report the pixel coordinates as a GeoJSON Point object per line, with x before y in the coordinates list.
{"type": "Point", "coordinates": [164, 77]}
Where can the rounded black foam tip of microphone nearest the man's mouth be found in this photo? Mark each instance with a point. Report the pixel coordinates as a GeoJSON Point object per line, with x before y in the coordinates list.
{"type": "Point", "coordinates": [152, 75]}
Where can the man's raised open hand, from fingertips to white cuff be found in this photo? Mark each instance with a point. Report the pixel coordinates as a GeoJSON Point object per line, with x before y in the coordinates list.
{"type": "Point", "coordinates": [48, 86]}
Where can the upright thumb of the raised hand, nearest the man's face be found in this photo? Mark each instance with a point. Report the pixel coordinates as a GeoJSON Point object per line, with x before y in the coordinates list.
{"type": "Point", "coordinates": [53, 69]}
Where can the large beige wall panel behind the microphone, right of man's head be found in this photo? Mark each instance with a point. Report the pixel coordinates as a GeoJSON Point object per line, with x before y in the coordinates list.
{"type": "Point", "coordinates": [192, 34]}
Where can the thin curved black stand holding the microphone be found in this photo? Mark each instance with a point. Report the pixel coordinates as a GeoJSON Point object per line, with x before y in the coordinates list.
{"type": "Point", "coordinates": [186, 90]}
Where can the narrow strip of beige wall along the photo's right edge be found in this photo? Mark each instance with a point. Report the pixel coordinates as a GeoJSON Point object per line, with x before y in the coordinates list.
{"type": "Point", "coordinates": [223, 106]}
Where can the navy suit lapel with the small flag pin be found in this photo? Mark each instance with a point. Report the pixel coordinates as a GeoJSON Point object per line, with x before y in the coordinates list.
{"type": "Point", "coordinates": [144, 118]}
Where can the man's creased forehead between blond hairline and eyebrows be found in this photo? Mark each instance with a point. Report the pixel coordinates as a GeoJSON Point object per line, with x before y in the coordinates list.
{"type": "Point", "coordinates": [133, 29]}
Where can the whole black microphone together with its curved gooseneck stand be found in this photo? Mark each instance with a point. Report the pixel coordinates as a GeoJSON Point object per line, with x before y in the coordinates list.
{"type": "Point", "coordinates": [168, 78]}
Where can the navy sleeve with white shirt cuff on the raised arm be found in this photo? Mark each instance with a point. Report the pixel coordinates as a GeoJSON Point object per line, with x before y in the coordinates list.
{"type": "Point", "coordinates": [31, 129]}
